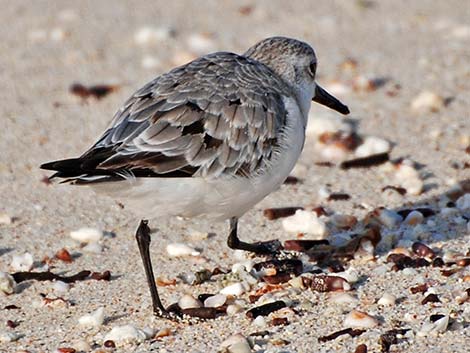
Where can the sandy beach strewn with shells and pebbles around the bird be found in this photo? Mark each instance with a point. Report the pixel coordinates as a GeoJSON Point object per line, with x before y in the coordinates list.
{"type": "Point", "coordinates": [402, 68]}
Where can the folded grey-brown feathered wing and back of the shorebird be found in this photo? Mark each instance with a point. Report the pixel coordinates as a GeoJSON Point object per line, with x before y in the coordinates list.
{"type": "Point", "coordinates": [220, 114]}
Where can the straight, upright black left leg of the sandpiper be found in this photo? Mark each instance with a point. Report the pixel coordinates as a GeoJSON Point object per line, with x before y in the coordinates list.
{"type": "Point", "coordinates": [143, 240]}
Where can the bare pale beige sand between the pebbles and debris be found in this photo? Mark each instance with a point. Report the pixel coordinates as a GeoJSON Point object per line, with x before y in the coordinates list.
{"type": "Point", "coordinates": [48, 45]}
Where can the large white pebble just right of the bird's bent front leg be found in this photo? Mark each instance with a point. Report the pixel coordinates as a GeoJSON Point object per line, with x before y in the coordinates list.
{"type": "Point", "coordinates": [305, 222]}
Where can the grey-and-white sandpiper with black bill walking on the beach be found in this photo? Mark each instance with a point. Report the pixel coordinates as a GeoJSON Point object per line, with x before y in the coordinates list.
{"type": "Point", "coordinates": [210, 138]}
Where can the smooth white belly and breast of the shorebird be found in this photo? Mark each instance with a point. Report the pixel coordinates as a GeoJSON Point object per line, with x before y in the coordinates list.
{"type": "Point", "coordinates": [220, 198]}
